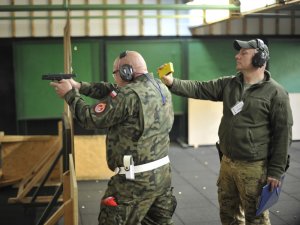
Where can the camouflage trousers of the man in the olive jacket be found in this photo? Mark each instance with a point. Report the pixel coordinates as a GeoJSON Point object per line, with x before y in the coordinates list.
{"type": "Point", "coordinates": [239, 188]}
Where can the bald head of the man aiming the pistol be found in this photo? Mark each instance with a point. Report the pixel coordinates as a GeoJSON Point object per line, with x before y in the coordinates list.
{"type": "Point", "coordinates": [133, 59]}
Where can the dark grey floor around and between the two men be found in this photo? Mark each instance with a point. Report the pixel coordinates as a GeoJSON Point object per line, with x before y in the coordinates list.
{"type": "Point", "coordinates": [195, 172]}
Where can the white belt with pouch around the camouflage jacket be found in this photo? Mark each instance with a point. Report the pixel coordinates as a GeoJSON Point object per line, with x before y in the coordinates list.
{"type": "Point", "coordinates": [131, 169]}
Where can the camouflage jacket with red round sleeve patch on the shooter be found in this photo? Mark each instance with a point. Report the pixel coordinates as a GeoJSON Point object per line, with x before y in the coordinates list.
{"type": "Point", "coordinates": [137, 120]}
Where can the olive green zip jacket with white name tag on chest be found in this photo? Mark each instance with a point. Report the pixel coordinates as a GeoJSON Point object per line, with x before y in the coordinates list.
{"type": "Point", "coordinates": [262, 130]}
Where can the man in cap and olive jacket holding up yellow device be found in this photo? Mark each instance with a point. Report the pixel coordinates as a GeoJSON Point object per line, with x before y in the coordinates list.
{"type": "Point", "coordinates": [255, 130]}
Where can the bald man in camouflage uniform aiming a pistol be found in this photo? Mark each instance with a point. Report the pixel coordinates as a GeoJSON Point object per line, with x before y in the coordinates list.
{"type": "Point", "coordinates": [139, 115]}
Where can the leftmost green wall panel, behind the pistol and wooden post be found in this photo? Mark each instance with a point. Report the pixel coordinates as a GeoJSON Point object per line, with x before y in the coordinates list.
{"type": "Point", "coordinates": [35, 99]}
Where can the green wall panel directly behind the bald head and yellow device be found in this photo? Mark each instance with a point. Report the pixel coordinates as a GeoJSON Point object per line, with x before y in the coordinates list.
{"type": "Point", "coordinates": [155, 54]}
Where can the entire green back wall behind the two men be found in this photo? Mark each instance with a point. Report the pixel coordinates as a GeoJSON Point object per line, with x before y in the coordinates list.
{"type": "Point", "coordinates": [196, 59]}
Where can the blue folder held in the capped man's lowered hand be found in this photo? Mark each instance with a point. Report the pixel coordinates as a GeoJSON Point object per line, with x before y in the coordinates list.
{"type": "Point", "coordinates": [268, 198]}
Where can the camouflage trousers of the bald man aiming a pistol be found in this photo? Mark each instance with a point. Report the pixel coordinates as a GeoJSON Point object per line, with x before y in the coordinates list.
{"type": "Point", "coordinates": [139, 211]}
